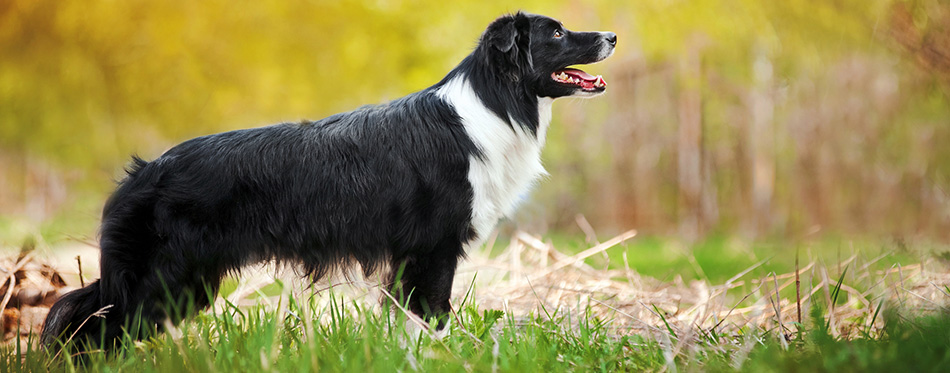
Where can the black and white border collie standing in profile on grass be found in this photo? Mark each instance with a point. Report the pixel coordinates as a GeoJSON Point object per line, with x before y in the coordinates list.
{"type": "Point", "coordinates": [408, 185]}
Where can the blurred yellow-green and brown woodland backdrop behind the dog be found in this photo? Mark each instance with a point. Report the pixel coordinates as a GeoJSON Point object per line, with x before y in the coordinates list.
{"type": "Point", "coordinates": [857, 104]}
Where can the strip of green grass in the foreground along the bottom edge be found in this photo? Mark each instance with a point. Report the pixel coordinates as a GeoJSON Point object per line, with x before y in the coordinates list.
{"type": "Point", "coordinates": [336, 335]}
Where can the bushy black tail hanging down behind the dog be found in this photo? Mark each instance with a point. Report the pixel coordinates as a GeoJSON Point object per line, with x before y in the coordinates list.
{"type": "Point", "coordinates": [98, 312]}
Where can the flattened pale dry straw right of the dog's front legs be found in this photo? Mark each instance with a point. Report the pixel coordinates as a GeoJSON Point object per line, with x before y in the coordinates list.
{"type": "Point", "coordinates": [532, 276]}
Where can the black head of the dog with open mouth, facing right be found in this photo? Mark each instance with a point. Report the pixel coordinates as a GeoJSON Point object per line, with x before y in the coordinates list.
{"type": "Point", "coordinates": [538, 52]}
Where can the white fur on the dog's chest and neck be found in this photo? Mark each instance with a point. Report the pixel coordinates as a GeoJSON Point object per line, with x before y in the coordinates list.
{"type": "Point", "coordinates": [510, 162]}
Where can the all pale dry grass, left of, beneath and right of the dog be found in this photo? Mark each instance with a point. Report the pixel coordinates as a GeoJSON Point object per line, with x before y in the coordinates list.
{"type": "Point", "coordinates": [532, 277]}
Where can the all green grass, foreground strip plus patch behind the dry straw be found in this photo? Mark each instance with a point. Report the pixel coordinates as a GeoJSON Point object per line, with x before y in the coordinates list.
{"type": "Point", "coordinates": [329, 333]}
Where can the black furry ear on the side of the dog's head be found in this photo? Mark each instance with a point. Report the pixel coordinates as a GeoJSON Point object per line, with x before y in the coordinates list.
{"type": "Point", "coordinates": [507, 44]}
